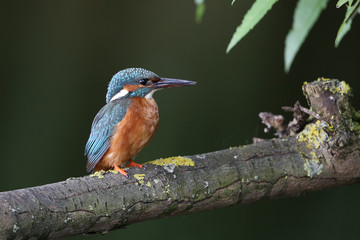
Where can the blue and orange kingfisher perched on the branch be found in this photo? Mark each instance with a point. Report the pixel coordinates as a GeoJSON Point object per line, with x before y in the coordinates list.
{"type": "Point", "coordinates": [123, 127]}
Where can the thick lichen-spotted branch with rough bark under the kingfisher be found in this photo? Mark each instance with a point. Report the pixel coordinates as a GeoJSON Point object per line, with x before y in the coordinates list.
{"type": "Point", "coordinates": [324, 154]}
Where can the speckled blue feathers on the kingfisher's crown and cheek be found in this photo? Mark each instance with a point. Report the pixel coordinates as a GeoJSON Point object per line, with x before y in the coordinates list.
{"type": "Point", "coordinates": [128, 76]}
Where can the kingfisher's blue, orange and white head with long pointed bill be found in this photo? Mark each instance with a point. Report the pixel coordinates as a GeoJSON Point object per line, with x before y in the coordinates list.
{"type": "Point", "coordinates": [139, 82]}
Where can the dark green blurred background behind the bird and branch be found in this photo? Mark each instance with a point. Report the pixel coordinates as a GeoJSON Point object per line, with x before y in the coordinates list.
{"type": "Point", "coordinates": [58, 56]}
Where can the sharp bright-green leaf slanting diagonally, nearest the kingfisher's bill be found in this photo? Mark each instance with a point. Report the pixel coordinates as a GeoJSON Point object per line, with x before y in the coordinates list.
{"type": "Point", "coordinates": [251, 18]}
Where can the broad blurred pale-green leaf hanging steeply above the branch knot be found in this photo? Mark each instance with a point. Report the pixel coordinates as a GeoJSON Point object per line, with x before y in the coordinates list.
{"type": "Point", "coordinates": [305, 16]}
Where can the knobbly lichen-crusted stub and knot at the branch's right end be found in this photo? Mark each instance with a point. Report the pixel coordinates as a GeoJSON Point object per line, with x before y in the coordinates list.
{"type": "Point", "coordinates": [324, 130]}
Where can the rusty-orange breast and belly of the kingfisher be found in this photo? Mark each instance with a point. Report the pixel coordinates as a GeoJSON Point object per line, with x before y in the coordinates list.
{"type": "Point", "coordinates": [132, 134]}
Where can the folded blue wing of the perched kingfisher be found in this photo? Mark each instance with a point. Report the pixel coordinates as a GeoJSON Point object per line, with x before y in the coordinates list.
{"type": "Point", "coordinates": [102, 129]}
